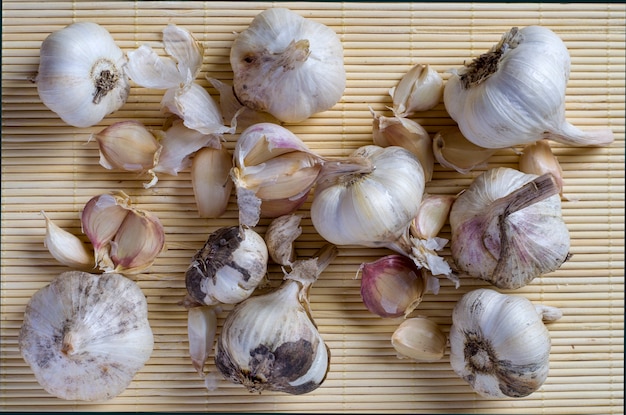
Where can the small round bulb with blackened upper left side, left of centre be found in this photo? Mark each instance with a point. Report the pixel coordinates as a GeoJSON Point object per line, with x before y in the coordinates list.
{"type": "Point", "coordinates": [228, 268]}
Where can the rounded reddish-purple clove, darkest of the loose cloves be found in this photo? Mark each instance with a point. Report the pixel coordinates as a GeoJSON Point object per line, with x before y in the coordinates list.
{"type": "Point", "coordinates": [391, 286]}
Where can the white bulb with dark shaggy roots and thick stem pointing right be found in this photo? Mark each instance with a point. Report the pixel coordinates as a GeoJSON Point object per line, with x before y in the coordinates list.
{"type": "Point", "coordinates": [515, 93]}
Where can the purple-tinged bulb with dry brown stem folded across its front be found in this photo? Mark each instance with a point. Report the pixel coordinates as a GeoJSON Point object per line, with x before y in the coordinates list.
{"type": "Point", "coordinates": [507, 228]}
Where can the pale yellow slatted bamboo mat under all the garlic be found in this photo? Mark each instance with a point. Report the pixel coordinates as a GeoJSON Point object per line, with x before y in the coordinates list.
{"type": "Point", "coordinates": [51, 166]}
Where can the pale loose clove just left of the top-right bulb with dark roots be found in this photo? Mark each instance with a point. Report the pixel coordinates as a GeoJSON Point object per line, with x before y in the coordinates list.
{"type": "Point", "coordinates": [420, 89]}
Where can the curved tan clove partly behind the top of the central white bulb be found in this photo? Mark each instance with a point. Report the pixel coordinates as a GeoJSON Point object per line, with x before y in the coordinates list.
{"type": "Point", "coordinates": [402, 132]}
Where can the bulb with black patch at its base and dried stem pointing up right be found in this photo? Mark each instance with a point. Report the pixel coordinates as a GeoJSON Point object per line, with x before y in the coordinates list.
{"type": "Point", "coordinates": [271, 342]}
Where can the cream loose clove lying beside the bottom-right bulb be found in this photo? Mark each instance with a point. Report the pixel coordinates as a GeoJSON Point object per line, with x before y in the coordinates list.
{"type": "Point", "coordinates": [419, 339]}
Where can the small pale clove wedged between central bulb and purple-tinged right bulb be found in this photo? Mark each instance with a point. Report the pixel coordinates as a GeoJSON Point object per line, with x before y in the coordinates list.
{"type": "Point", "coordinates": [432, 215]}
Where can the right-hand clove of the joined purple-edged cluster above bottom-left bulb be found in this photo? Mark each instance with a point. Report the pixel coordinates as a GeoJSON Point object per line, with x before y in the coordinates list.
{"type": "Point", "coordinates": [137, 242]}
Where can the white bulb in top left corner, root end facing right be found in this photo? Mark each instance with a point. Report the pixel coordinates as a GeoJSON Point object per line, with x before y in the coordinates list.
{"type": "Point", "coordinates": [81, 76]}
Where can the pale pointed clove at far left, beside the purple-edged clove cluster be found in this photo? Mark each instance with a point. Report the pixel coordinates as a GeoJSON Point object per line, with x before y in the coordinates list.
{"type": "Point", "coordinates": [66, 247]}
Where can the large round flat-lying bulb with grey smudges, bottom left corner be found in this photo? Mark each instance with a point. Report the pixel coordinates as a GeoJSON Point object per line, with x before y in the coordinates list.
{"type": "Point", "coordinates": [85, 336]}
